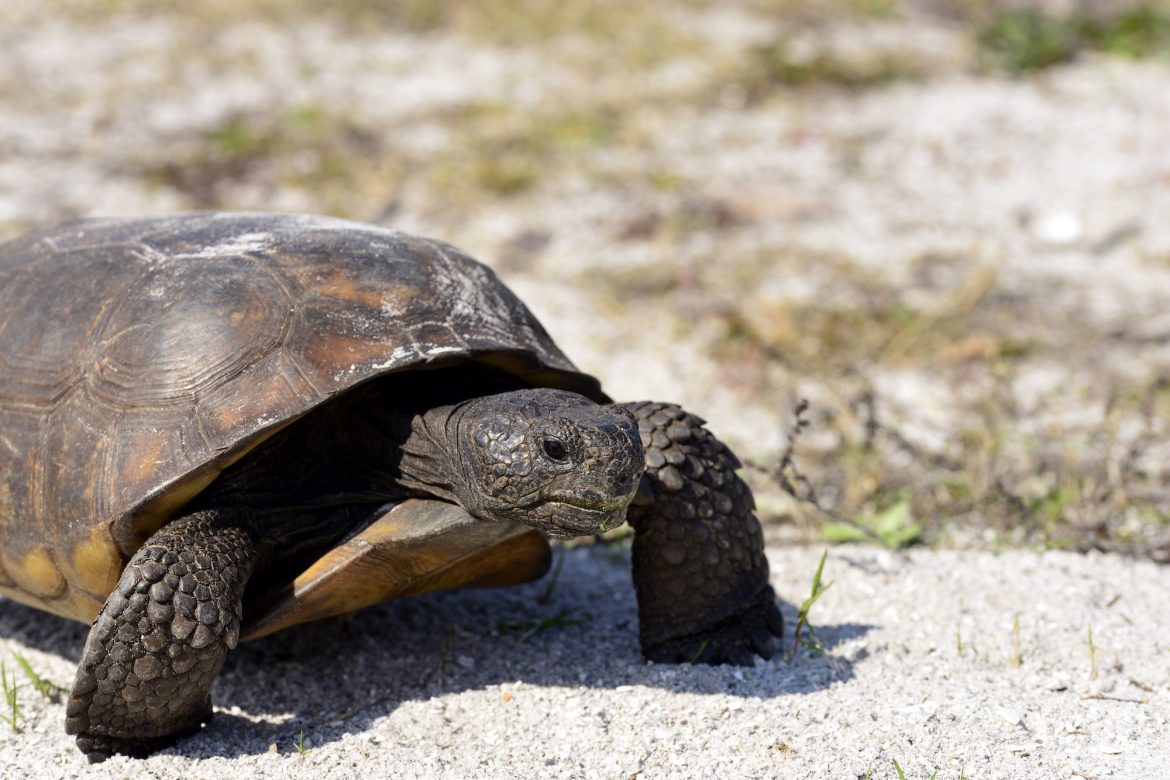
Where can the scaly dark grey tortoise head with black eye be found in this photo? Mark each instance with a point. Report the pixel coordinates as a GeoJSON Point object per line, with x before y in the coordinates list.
{"type": "Point", "coordinates": [550, 459]}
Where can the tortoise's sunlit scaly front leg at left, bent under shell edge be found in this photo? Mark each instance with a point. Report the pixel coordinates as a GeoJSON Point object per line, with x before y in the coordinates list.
{"type": "Point", "coordinates": [159, 643]}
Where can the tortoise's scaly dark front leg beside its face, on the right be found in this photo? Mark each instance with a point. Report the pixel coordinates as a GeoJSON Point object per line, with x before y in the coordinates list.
{"type": "Point", "coordinates": [700, 570]}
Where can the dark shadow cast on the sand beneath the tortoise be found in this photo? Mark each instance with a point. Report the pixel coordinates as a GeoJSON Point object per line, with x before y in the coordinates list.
{"type": "Point", "coordinates": [340, 677]}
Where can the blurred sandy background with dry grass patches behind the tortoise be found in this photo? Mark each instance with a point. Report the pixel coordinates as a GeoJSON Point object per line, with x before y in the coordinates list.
{"type": "Point", "coordinates": [928, 219]}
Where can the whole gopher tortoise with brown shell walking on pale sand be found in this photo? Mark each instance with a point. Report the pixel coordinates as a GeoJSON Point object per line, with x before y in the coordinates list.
{"type": "Point", "coordinates": [216, 426]}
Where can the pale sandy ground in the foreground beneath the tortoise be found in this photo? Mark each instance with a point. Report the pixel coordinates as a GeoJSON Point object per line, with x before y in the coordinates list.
{"type": "Point", "coordinates": [974, 665]}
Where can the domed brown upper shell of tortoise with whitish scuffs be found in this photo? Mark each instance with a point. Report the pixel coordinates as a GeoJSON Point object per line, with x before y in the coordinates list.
{"type": "Point", "coordinates": [141, 358]}
